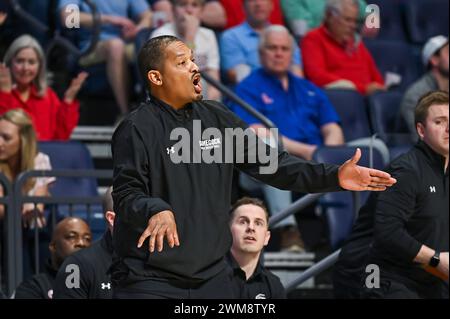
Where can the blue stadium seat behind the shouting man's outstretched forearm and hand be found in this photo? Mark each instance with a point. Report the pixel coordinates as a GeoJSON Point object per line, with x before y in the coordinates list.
{"type": "Point", "coordinates": [338, 206]}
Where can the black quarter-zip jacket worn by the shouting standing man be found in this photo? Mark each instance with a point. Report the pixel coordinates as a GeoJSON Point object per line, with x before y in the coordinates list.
{"type": "Point", "coordinates": [146, 181]}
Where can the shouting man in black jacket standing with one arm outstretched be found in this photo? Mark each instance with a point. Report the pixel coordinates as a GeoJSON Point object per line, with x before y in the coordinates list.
{"type": "Point", "coordinates": [173, 163]}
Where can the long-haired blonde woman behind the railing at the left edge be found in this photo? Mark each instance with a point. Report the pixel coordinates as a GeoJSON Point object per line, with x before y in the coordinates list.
{"type": "Point", "coordinates": [18, 153]}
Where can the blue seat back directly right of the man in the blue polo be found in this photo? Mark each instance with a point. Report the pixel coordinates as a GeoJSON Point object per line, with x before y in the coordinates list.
{"type": "Point", "coordinates": [351, 108]}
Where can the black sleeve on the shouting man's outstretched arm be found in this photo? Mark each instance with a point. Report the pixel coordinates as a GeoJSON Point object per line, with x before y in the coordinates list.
{"type": "Point", "coordinates": [280, 169]}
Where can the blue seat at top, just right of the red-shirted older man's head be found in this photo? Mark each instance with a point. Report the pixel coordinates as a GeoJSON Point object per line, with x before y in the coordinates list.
{"type": "Point", "coordinates": [392, 24]}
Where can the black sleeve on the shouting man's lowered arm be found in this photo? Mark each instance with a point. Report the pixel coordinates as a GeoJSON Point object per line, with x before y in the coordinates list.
{"type": "Point", "coordinates": [131, 177]}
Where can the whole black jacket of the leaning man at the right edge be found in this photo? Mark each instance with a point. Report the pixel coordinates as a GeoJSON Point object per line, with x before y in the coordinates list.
{"type": "Point", "coordinates": [394, 224]}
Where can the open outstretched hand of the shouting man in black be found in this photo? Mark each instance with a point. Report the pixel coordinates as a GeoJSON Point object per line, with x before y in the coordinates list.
{"type": "Point", "coordinates": [353, 177]}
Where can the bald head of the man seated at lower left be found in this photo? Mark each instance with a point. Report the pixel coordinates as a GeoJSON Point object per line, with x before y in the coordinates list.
{"type": "Point", "coordinates": [70, 235]}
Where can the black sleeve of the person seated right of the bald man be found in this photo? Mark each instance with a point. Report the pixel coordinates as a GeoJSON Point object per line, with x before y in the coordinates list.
{"type": "Point", "coordinates": [61, 289]}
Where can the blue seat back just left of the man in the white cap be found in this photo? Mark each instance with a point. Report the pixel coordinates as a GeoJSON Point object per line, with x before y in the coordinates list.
{"type": "Point", "coordinates": [386, 120]}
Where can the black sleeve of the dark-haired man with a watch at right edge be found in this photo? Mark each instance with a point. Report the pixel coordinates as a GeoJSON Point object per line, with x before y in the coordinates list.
{"type": "Point", "coordinates": [393, 209]}
